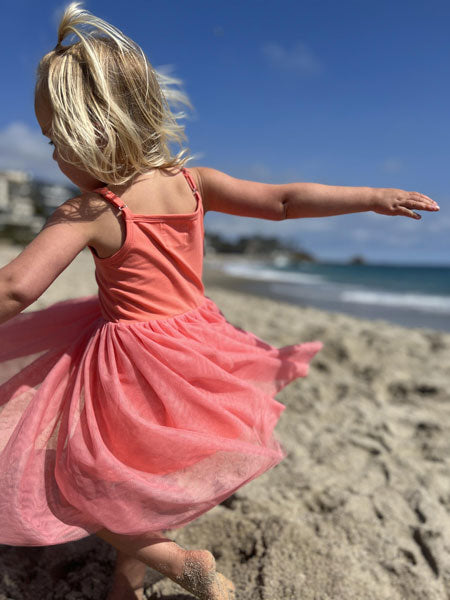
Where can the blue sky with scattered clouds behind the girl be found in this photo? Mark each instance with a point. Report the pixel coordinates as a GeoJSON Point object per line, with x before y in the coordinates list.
{"type": "Point", "coordinates": [354, 92]}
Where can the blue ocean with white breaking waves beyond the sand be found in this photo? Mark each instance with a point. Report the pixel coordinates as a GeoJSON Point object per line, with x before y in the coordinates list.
{"type": "Point", "coordinates": [413, 296]}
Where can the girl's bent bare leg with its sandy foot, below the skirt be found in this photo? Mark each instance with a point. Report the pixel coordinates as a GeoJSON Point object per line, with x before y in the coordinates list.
{"type": "Point", "coordinates": [194, 570]}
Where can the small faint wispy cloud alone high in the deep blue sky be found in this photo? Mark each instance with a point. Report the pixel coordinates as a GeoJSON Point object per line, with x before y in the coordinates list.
{"type": "Point", "coordinates": [298, 59]}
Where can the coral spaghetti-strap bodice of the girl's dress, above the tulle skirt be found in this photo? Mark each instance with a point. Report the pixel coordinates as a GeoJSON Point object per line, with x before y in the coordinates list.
{"type": "Point", "coordinates": [157, 272]}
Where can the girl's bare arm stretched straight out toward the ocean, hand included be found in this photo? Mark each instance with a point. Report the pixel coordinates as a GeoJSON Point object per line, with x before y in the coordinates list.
{"type": "Point", "coordinates": [223, 193]}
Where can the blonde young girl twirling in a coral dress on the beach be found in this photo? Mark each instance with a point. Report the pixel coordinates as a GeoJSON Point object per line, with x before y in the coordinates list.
{"type": "Point", "coordinates": [136, 411]}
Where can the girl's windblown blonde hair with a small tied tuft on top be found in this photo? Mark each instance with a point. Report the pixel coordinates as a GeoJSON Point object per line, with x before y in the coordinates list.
{"type": "Point", "coordinates": [110, 108]}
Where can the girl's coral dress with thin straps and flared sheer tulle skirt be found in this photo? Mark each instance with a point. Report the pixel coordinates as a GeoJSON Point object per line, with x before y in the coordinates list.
{"type": "Point", "coordinates": [138, 409]}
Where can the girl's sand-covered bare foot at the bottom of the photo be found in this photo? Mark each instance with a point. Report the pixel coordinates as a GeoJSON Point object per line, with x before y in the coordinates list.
{"type": "Point", "coordinates": [199, 577]}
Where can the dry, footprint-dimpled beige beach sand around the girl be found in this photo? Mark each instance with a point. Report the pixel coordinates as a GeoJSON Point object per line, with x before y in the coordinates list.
{"type": "Point", "coordinates": [359, 509]}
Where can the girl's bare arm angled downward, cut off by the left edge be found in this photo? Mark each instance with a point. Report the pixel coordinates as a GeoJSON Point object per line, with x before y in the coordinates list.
{"type": "Point", "coordinates": [25, 278]}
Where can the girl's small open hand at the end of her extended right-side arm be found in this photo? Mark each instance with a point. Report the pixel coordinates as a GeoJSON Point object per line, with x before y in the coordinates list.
{"type": "Point", "coordinates": [393, 202]}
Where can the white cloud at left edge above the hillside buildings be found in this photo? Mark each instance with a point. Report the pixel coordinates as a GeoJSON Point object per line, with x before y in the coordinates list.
{"type": "Point", "coordinates": [25, 149]}
